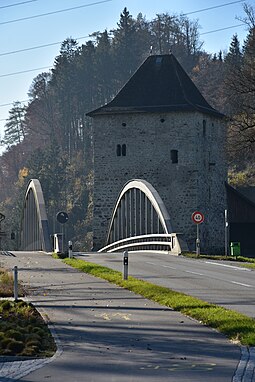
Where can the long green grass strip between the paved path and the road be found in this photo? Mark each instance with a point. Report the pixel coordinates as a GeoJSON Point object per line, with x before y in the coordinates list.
{"type": "Point", "coordinates": [236, 326]}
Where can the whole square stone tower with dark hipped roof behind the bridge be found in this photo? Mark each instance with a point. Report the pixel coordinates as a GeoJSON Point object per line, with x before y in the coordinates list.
{"type": "Point", "coordinates": [161, 129]}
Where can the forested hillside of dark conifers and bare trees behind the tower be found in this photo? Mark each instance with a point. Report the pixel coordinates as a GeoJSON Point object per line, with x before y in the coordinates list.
{"type": "Point", "coordinates": [51, 139]}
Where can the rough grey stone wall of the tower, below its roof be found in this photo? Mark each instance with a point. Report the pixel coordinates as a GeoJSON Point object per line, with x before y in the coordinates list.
{"type": "Point", "coordinates": [195, 182]}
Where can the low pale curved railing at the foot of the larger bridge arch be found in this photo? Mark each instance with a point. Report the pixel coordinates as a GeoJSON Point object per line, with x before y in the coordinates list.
{"type": "Point", "coordinates": [168, 243]}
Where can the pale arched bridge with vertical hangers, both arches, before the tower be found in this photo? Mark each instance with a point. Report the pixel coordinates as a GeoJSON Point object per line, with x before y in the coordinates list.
{"type": "Point", "coordinates": [140, 221]}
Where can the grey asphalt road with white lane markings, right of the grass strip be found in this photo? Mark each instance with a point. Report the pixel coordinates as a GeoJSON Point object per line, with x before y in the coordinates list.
{"type": "Point", "coordinates": [222, 283]}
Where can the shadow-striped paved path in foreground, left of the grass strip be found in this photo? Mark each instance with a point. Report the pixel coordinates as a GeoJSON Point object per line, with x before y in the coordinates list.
{"type": "Point", "coordinates": [109, 334]}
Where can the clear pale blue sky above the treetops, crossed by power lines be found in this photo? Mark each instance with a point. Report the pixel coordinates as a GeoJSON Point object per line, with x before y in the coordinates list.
{"type": "Point", "coordinates": [31, 24]}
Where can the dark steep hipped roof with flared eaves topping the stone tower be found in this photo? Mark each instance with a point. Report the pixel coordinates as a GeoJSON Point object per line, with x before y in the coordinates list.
{"type": "Point", "coordinates": [159, 85]}
